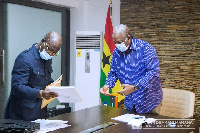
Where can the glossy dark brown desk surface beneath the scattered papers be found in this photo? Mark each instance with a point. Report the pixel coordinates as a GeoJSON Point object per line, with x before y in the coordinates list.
{"type": "Point", "coordinates": [92, 117]}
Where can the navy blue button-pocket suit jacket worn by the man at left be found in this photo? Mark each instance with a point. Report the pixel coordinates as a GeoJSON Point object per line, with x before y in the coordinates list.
{"type": "Point", "coordinates": [30, 74]}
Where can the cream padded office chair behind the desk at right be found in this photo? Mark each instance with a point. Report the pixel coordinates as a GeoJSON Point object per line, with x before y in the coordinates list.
{"type": "Point", "coordinates": [177, 103]}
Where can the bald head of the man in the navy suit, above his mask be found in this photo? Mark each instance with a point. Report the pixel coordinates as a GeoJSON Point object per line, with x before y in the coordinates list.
{"type": "Point", "coordinates": [54, 41]}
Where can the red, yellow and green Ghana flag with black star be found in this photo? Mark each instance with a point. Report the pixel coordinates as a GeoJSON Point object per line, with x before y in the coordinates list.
{"type": "Point", "coordinates": [108, 48]}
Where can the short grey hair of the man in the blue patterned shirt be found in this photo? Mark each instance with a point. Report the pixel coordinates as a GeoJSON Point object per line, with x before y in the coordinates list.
{"type": "Point", "coordinates": [122, 29]}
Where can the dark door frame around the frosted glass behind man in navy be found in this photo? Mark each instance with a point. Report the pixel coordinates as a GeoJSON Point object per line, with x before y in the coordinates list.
{"type": "Point", "coordinates": [65, 49]}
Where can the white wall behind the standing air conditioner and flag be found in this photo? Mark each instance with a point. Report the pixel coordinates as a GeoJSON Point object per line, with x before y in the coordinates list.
{"type": "Point", "coordinates": [90, 15]}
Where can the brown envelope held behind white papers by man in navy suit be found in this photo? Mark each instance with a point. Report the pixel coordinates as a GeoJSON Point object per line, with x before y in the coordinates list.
{"type": "Point", "coordinates": [55, 83]}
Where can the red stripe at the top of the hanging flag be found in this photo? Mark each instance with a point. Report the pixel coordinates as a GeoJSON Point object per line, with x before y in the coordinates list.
{"type": "Point", "coordinates": [108, 32]}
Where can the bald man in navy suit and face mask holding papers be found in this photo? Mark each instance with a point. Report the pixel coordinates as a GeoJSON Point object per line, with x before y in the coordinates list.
{"type": "Point", "coordinates": [30, 76]}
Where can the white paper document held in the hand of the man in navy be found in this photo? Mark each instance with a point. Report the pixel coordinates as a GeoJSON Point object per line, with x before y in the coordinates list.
{"type": "Point", "coordinates": [66, 94]}
